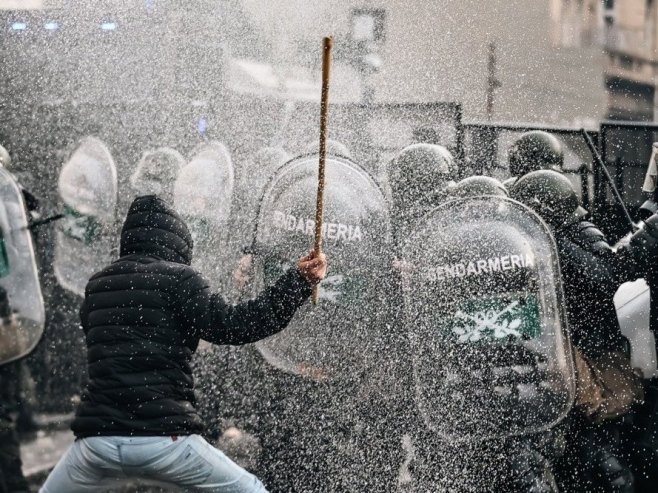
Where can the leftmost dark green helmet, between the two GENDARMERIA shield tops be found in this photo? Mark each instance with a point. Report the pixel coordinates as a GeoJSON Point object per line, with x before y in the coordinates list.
{"type": "Point", "coordinates": [418, 173]}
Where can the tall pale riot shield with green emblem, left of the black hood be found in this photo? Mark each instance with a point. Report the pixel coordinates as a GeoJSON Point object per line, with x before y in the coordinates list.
{"type": "Point", "coordinates": [88, 189]}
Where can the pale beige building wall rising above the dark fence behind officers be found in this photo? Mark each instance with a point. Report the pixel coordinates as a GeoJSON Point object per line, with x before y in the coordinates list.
{"type": "Point", "coordinates": [439, 51]}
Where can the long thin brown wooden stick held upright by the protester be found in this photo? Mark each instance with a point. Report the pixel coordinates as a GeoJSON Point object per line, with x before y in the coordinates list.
{"type": "Point", "coordinates": [327, 46]}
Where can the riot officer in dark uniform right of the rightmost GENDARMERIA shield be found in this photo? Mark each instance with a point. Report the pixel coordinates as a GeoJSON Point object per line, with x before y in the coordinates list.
{"type": "Point", "coordinates": [592, 271]}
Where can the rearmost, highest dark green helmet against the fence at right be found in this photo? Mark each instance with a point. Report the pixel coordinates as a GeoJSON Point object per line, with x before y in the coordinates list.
{"type": "Point", "coordinates": [533, 151]}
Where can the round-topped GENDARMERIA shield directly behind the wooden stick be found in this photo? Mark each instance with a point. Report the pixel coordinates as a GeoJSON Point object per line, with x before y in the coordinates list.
{"type": "Point", "coordinates": [333, 339]}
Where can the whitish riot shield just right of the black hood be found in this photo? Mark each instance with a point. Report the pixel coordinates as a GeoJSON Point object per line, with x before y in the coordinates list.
{"type": "Point", "coordinates": [202, 195]}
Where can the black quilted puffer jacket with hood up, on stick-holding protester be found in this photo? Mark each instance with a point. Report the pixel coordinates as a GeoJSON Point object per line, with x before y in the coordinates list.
{"type": "Point", "coordinates": [143, 317]}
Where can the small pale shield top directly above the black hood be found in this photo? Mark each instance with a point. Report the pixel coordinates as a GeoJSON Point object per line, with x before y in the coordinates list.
{"type": "Point", "coordinates": [156, 173]}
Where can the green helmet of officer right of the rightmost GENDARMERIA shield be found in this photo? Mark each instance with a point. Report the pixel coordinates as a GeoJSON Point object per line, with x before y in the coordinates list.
{"type": "Point", "coordinates": [551, 195]}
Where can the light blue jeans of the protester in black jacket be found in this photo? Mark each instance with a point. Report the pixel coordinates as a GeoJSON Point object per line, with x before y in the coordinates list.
{"type": "Point", "coordinates": [189, 462]}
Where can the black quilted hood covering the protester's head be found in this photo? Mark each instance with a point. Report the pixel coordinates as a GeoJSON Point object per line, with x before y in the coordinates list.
{"type": "Point", "coordinates": [152, 227]}
